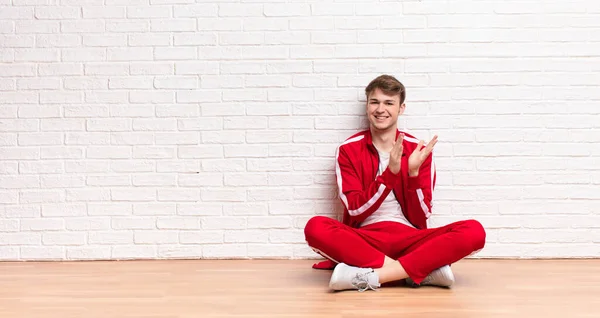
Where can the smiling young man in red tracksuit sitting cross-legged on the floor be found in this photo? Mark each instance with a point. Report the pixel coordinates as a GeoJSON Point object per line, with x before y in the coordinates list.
{"type": "Point", "coordinates": [385, 180]}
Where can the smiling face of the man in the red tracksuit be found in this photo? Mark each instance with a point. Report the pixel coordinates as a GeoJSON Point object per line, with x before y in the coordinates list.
{"type": "Point", "coordinates": [383, 110]}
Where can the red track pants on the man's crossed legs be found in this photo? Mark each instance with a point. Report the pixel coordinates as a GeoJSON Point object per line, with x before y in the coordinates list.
{"type": "Point", "coordinates": [418, 251]}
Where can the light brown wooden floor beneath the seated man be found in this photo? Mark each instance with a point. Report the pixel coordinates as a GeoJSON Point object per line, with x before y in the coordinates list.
{"type": "Point", "coordinates": [260, 288]}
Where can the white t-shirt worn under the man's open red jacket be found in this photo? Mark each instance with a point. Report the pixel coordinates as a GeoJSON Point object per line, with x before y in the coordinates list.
{"type": "Point", "coordinates": [390, 209]}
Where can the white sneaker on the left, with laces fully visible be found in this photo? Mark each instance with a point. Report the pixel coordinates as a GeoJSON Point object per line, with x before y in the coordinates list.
{"type": "Point", "coordinates": [350, 277]}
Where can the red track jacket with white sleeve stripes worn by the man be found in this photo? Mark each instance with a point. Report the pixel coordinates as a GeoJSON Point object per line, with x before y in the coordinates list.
{"type": "Point", "coordinates": [362, 192]}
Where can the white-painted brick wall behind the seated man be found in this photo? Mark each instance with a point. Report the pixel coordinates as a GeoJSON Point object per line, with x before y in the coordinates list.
{"type": "Point", "coordinates": [187, 129]}
